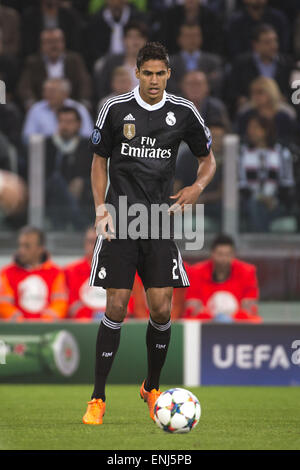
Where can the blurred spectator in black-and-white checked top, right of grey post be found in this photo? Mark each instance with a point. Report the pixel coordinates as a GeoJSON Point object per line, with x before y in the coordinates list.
{"type": "Point", "coordinates": [266, 177]}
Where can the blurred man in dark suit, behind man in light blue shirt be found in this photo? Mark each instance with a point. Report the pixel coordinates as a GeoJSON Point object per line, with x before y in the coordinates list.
{"type": "Point", "coordinates": [53, 61]}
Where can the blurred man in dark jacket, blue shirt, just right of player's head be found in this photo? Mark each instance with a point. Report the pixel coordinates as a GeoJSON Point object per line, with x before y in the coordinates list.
{"type": "Point", "coordinates": [191, 57]}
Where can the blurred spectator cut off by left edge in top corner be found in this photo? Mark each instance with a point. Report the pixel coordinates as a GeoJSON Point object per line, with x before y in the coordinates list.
{"type": "Point", "coordinates": [10, 30]}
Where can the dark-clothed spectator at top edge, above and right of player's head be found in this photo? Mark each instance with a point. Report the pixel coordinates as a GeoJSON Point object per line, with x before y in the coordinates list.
{"type": "Point", "coordinates": [191, 12]}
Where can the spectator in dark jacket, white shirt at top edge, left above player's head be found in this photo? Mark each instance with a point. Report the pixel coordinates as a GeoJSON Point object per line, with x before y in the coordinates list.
{"type": "Point", "coordinates": [106, 29]}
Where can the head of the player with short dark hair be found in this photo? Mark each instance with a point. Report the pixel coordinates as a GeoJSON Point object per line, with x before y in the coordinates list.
{"type": "Point", "coordinates": [153, 76]}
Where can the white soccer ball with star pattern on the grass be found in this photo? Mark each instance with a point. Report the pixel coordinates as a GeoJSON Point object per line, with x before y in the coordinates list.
{"type": "Point", "coordinates": [177, 410]}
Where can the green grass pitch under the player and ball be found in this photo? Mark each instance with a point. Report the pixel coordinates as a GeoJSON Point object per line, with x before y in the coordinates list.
{"type": "Point", "coordinates": [49, 417]}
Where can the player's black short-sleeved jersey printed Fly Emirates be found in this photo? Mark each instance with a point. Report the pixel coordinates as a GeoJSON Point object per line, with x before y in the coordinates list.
{"type": "Point", "coordinates": [142, 143]}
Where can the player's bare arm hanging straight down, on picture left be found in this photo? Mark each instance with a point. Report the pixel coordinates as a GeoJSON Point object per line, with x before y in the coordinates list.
{"type": "Point", "coordinates": [99, 183]}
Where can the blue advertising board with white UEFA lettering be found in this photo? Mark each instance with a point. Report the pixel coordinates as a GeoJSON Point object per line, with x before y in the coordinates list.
{"type": "Point", "coordinates": [239, 354]}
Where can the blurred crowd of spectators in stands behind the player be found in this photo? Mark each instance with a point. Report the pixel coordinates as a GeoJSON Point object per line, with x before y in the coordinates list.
{"type": "Point", "coordinates": [237, 61]}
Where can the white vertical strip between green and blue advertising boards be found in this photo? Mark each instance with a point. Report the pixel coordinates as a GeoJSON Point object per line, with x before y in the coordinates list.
{"type": "Point", "coordinates": [191, 353]}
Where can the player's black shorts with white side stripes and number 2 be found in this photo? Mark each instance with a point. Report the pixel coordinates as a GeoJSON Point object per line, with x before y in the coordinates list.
{"type": "Point", "coordinates": [158, 262]}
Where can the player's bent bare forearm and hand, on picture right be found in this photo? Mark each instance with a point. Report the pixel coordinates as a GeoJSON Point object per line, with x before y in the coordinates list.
{"type": "Point", "coordinates": [190, 194]}
